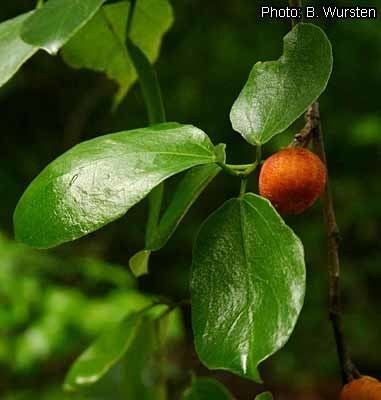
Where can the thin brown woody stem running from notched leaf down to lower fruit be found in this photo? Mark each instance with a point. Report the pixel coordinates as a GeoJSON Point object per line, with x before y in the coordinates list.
{"type": "Point", "coordinates": [348, 370]}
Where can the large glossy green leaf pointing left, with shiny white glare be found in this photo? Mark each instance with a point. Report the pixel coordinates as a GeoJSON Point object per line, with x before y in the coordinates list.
{"type": "Point", "coordinates": [99, 180]}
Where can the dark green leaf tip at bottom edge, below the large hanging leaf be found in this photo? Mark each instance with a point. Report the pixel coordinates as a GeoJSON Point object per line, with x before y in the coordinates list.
{"type": "Point", "coordinates": [206, 389]}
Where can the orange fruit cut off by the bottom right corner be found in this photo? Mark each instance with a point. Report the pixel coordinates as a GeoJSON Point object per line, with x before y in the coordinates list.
{"type": "Point", "coordinates": [365, 388]}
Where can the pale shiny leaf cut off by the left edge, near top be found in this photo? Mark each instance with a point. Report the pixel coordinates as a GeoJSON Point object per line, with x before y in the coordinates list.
{"type": "Point", "coordinates": [13, 51]}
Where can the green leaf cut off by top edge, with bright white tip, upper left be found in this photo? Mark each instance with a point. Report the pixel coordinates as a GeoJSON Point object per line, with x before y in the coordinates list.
{"type": "Point", "coordinates": [52, 25]}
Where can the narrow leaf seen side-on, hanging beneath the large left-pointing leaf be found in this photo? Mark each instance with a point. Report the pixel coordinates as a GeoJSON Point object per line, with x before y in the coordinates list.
{"type": "Point", "coordinates": [187, 192]}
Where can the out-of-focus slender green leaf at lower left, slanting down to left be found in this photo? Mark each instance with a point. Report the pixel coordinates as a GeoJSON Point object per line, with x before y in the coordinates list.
{"type": "Point", "coordinates": [108, 349]}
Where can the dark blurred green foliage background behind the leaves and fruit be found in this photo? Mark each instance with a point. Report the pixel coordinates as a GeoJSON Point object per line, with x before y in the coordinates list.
{"type": "Point", "coordinates": [52, 304]}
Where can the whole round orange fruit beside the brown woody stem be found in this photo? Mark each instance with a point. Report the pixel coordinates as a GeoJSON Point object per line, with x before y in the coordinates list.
{"type": "Point", "coordinates": [292, 179]}
